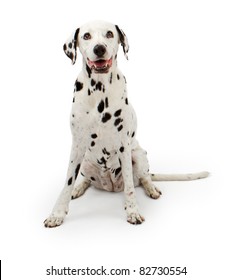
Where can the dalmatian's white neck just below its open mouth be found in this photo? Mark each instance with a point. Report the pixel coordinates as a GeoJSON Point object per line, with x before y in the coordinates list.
{"type": "Point", "coordinates": [100, 77]}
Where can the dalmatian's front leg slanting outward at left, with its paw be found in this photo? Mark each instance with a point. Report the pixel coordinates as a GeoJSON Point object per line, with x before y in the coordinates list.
{"type": "Point", "coordinates": [61, 207]}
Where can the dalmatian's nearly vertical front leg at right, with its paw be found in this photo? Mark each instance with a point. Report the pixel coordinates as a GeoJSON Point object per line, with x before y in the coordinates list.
{"type": "Point", "coordinates": [133, 215]}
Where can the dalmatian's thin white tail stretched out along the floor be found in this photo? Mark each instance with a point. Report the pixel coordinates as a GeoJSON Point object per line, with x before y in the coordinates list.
{"type": "Point", "coordinates": [179, 177]}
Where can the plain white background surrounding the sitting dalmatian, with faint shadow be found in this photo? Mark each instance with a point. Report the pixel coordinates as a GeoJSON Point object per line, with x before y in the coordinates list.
{"type": "Point", "coordinates": [179, 81]}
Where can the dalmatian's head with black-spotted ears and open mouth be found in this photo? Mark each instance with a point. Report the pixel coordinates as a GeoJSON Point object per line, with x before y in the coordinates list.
{"type": "Point", "coordinates": [98, 43]}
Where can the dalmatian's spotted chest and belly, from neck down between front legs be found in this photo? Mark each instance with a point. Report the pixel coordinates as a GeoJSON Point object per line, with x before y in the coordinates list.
{"type": "Point", "coordinates": [100, 117]}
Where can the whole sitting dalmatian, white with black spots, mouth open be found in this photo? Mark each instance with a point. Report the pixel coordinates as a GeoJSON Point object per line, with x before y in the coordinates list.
{"type": "Point", "coordinates": [103, 124]}
